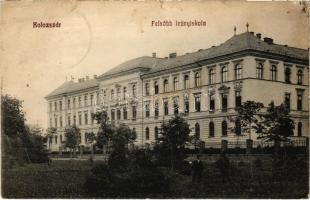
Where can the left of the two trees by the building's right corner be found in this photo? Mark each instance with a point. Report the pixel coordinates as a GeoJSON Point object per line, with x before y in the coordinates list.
{"type": "Point", "coordinates": [247, 116]}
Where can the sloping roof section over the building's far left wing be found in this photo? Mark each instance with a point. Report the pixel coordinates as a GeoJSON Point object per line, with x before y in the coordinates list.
{"type": "Point", "coordinates": [71, 86]}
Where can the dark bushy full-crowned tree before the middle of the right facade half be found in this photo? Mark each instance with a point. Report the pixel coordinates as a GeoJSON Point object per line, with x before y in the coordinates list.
{"type": "Point", "coordinates": [171, 145]}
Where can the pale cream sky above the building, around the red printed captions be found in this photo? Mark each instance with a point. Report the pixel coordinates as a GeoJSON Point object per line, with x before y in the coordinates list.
{"type": "Point", "coordinates": [95, 36]}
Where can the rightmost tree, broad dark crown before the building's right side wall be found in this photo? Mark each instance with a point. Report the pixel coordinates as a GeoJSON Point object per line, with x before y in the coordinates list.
{"type": "Point", "coordinates": [276, 124]}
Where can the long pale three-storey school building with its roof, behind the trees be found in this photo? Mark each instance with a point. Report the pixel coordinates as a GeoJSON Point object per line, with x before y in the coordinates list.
{"type": "Point", "coordinates": [206, 86]}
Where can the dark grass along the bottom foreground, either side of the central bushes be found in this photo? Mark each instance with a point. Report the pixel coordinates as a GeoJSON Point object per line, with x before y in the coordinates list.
{"type": "Point", "coordinates": [65, 179]}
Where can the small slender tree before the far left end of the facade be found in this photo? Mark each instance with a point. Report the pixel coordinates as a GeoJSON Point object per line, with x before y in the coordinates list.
{"type": "Point", "coordinates": [73, 138]}
